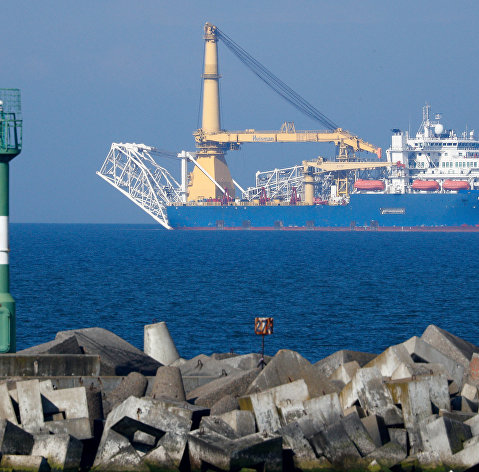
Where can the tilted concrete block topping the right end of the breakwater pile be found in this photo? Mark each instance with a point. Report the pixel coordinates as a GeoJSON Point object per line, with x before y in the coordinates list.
{"type": "Point", "coordinates": [451, 346]}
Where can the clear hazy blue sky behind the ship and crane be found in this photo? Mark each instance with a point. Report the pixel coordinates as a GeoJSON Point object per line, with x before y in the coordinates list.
{"type": "Point", "coordinates": [97, 72]}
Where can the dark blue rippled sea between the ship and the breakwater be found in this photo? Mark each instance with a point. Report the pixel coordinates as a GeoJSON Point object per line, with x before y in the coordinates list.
{"type": "Point", "coordinates": [326, 291]}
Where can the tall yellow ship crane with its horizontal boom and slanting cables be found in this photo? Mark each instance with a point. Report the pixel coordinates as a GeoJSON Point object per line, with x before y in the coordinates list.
{"type": "Point", "coordinates": [212, 142]}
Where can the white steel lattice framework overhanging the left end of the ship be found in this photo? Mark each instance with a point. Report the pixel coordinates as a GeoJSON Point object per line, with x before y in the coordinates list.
{"type": "Point", "coordinates": [132, 170]}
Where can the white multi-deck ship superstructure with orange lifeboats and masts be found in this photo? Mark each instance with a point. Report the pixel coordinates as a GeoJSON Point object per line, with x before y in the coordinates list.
{"type": "Point", "coordinates": [435, 155]}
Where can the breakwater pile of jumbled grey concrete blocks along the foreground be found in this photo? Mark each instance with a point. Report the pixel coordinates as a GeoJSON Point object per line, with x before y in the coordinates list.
{"type": "Point", "coordinates": [90, 400]}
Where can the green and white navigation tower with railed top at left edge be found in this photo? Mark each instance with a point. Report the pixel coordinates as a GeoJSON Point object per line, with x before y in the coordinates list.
{"type": "Point", "coordinates": [10, 146]}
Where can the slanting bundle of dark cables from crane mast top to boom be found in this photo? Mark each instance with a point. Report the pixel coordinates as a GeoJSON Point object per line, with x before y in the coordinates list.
{"type": "Point", "coordinates": [275, 83]}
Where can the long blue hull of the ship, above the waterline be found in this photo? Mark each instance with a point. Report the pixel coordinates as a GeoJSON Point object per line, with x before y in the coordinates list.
{"type": "Point", "coordinates": [414, 211]}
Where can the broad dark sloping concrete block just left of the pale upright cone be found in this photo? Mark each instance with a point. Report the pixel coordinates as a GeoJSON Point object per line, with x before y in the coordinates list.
{"type": "Point", "coordinates": [117, 357]}
